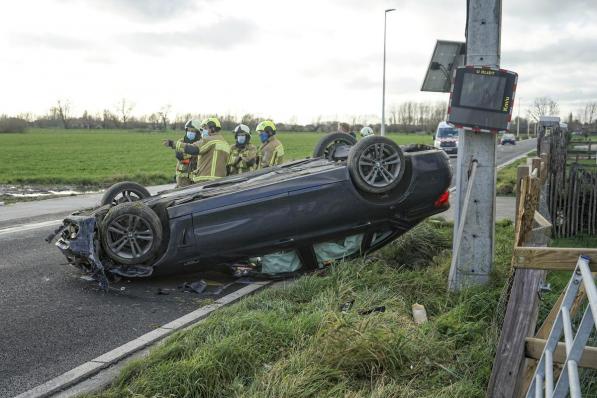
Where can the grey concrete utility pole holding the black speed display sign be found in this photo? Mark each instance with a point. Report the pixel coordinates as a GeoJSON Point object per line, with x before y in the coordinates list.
{"type": "Point", "coordinates": [476, 158]}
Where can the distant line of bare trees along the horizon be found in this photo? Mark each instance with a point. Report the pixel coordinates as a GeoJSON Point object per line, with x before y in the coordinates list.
{"type": "Point", "coordinates": [410, 117]}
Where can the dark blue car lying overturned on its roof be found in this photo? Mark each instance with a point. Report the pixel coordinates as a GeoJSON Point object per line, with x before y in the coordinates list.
{"type": "Point", "coordinates": [297, 216]}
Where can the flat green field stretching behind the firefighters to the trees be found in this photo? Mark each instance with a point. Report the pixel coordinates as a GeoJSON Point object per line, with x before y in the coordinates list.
{"type": "Point", "coordinates": [98, 157]}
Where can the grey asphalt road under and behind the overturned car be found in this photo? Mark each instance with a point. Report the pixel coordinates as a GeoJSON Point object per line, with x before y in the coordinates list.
{"type": "Point", "coordinates": [51, 320]}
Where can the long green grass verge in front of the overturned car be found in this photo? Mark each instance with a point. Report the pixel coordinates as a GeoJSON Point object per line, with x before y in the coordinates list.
{"type": "Point", "coordinates": [293, 341]}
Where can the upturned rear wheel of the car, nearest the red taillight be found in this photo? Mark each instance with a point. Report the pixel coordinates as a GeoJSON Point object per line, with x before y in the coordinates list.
{"type": "Point", "coordinates": [376, 164]}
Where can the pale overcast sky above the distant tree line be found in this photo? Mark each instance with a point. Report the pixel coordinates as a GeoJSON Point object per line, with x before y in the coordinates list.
{"type": "Point", "coordinates": [289, 60]}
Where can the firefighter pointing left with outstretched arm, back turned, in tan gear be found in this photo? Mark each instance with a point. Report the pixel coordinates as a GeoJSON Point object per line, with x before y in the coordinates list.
{"type": "Point", "coordinates": [212, 151]}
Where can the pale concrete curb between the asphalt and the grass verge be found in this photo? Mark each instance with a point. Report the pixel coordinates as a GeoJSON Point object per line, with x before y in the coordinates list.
{"type": "Point", "coordinates": [91, 368]}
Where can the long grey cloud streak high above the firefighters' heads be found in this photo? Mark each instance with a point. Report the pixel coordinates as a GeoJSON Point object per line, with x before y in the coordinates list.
{"type": "Point", "coordinates": [221, 35]}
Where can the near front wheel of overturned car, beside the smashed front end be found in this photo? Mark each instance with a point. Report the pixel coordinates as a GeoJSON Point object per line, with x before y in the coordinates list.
{"type": "Point", "coordinates": [131, 233]}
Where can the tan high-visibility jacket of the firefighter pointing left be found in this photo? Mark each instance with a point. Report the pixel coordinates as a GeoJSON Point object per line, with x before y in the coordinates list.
{"type": "Point", "coordinates": [212, 157]}
